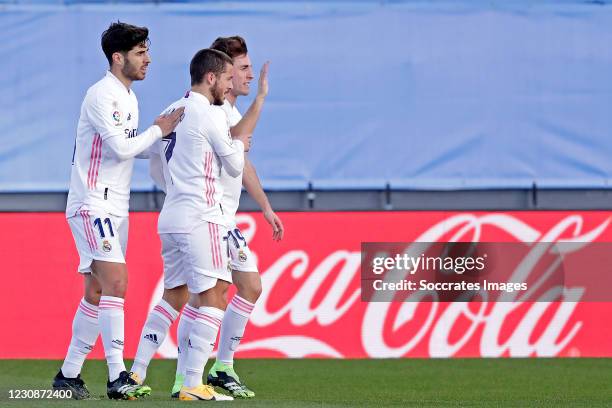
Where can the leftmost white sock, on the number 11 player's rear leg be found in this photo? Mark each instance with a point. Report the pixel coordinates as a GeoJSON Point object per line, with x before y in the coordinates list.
{"type": "Point", "coordinates": [85, 330]}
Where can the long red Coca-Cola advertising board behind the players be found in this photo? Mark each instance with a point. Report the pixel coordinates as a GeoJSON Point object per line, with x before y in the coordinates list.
{"type": "Point", "coordinates": [311, 304]}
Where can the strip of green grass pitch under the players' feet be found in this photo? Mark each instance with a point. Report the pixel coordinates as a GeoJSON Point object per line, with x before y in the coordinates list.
{"type": "Point", "coordinates": [357, 383]}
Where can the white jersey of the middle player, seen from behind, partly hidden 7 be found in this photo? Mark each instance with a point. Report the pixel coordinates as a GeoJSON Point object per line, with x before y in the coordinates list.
{"type": "Point", "coordinates": [191, 165]}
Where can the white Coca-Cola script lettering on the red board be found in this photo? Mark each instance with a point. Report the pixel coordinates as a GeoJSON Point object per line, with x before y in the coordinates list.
{"type": "Point", "coordinates": [321, 313]}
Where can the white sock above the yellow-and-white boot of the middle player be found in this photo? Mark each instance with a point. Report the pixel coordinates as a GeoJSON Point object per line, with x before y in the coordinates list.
{"type": "Point", "coordinates": [201, 343]}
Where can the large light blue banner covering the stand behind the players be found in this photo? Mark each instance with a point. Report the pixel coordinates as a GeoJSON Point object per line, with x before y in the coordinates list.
{"type": "Point", "coordinates": [417, 95]}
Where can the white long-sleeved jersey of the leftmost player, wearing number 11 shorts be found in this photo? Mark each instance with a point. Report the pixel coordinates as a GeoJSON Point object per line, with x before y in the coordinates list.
{"type": "Point", "coordinates": [99, 179]}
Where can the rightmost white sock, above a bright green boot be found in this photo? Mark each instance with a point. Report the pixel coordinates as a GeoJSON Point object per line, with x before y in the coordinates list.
{"type": "Point", "coordinates": [232, 328]}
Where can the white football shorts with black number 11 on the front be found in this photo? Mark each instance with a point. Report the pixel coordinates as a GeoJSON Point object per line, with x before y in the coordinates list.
{"type": "Point", "coordinates": [99, 236]}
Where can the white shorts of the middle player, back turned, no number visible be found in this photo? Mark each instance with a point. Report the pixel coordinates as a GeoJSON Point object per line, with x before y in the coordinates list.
{"type": "Point", "coordinates": [196, 259]}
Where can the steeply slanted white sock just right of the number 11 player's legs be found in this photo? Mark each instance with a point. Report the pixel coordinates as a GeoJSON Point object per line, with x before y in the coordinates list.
{"type": "Point", "coordinates": [153, 335]}
